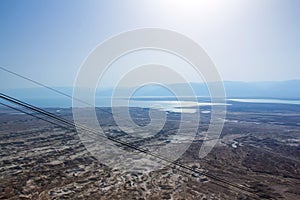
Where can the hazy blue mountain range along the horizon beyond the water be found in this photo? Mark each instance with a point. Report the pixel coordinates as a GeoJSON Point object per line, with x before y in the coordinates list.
{"type": "Point", "coordinates": [234, 89]}
